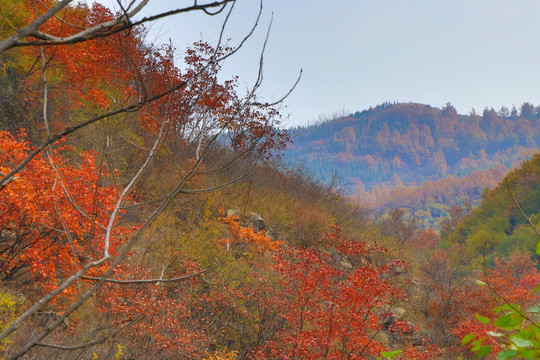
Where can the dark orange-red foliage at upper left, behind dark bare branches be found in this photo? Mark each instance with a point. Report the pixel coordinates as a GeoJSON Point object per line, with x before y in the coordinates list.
{"type": "Point", "coordinates": [91, 74]}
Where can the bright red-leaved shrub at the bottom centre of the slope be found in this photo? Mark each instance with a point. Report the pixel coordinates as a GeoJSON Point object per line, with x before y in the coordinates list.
{"type": "Point", "coordinates": [332, 309]}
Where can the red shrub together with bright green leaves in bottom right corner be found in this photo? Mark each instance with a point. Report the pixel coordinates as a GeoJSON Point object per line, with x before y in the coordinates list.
{"type": "Point", "coordinates": [505, 302]}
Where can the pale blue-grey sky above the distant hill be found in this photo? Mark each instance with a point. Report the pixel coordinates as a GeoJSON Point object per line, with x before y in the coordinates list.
{"type": "Point", "coordinates": [361, 53]}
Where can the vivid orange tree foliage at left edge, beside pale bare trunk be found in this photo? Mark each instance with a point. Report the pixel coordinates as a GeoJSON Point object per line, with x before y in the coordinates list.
{"type": "Point", "coordinates": [52, 217]}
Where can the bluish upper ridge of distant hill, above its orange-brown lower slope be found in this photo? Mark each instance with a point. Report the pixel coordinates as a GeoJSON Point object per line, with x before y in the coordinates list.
{"type": "Point", "coordinates": [395, 145]}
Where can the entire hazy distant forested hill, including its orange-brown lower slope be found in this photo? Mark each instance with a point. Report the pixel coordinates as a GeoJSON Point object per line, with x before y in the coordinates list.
{"type": "Point", "coordinates": [415, 156]}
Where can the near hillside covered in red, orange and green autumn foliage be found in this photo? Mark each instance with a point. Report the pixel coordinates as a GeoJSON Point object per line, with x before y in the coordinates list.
{"type": "Point", "coordinates": [130, 230]}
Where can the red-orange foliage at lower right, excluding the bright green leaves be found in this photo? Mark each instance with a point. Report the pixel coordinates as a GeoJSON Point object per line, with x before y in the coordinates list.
{"type": "Point", "coordinates": [467, 307]}
